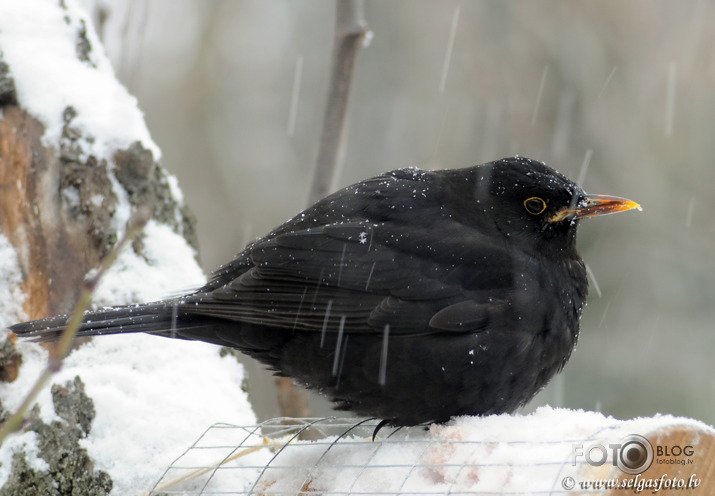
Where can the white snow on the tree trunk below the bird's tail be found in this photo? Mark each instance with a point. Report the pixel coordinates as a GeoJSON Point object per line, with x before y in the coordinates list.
{"type": "Point", "coordinates": [159, 391]}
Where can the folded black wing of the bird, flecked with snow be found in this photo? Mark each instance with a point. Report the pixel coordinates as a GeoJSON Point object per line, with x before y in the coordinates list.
{"type": "Point", "coordinates": [361, 277]}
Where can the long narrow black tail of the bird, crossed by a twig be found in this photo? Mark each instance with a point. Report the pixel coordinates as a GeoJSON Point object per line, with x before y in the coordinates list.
{"type": "Point", "coordinates": [158, 318]}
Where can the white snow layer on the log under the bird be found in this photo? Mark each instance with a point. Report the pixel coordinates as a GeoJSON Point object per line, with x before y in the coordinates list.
{"type": "Point", "coordinates": [499, 454]}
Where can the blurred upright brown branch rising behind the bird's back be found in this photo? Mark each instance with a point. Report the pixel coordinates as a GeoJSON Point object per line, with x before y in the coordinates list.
{"type": "Point", "coordinates": [350, 32]}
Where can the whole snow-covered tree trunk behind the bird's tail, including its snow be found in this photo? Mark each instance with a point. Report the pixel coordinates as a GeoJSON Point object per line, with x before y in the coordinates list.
{"type": "Point", "coordinates": [75, 159]}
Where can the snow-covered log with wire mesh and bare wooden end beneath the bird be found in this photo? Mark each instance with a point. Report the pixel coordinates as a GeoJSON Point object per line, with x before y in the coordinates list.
{"type": "Point", "coordinates": [551, 451]}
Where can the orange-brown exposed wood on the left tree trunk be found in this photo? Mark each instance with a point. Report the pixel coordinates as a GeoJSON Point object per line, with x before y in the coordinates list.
{"type": "Point", "coordinates": [53, 245]}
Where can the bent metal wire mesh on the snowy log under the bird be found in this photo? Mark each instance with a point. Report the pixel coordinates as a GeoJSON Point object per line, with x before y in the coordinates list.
{"type": "Point", "coordinates": [270, 459]}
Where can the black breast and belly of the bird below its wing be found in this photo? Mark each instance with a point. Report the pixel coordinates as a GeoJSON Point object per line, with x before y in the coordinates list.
{"type": "Point", "coordinates": [430, 377]}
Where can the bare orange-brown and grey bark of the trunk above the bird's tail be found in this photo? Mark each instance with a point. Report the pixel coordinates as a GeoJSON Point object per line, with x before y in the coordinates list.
{"type": "Point", "coordinates": [59, 207]}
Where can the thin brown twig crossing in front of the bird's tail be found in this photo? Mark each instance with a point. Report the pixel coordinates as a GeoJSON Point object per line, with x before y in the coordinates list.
{"type": "Point", "coordinates": [57, 355]}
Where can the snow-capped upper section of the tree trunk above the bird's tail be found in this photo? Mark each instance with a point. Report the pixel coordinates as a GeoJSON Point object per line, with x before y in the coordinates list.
{"type": "Point", "coordinates": [68, 184]}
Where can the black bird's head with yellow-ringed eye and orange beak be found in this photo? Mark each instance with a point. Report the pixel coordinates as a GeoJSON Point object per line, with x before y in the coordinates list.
{"type": "Point", "coordinates": [525, 200]}
